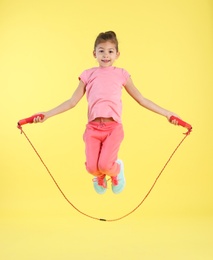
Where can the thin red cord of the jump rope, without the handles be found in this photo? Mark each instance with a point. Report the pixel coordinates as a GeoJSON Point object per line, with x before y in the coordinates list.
{"type": "Point", "coordinates": [96, 218]}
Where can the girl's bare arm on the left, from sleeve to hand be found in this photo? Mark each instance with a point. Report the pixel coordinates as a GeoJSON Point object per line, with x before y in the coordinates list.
{"type": "Point", "coordinates": [70, 103]}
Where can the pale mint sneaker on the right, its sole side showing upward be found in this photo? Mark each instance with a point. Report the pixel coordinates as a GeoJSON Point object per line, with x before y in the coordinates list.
{"type": "Point", "coordinates": [118, 182]}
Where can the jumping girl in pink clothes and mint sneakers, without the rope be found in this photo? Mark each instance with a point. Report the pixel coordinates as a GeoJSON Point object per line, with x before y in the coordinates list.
{"type": "Point", "coordinates": [104, 131]}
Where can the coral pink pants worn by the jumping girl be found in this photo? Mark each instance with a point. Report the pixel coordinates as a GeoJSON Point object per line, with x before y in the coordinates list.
{"type": "Point", "coordinates": [102, 141]}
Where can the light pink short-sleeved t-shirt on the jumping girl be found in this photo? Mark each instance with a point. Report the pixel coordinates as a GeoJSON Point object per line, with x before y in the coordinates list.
{"type": "Point", "coordinates": [103, 91]}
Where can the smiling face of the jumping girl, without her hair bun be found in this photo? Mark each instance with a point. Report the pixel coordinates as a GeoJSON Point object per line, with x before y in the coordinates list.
{"type": "Point", "coordinates": [106, 54]}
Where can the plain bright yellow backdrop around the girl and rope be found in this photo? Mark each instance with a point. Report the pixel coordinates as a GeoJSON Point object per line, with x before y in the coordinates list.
{"type": "Point", "coordinates": [167, 46]}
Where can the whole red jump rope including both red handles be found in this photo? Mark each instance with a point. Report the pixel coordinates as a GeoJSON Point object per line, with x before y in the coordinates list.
{"type": "Point", "coordinates": [30, 120]}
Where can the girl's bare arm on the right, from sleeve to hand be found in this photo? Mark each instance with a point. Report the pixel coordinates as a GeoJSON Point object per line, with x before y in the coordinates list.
{"type": "Point", "coordinates": [137, 96]}
